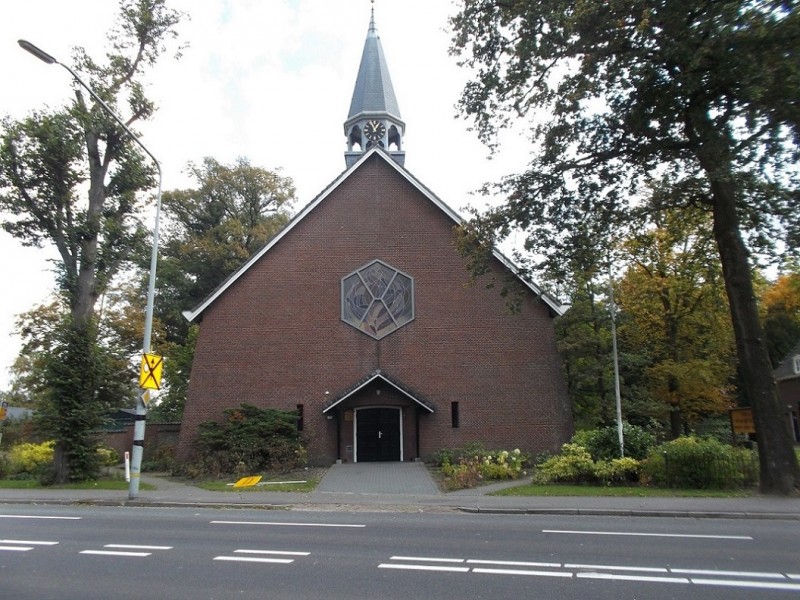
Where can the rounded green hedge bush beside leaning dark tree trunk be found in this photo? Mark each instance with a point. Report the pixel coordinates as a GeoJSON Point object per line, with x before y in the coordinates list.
{"type": "Point", "coordinates": [692, 462]}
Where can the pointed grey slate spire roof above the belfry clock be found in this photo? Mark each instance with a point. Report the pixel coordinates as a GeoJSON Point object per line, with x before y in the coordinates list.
{"type": "Point", "coordinates": [373, 92]}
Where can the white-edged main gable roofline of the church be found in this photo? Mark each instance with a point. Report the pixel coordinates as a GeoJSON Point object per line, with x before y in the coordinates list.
{"type": "Point", "coordinates": [197, 311]}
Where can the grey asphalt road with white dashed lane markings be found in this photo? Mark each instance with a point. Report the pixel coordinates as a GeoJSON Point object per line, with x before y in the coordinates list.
{"type": "Point", "coordinates": [64, 553]}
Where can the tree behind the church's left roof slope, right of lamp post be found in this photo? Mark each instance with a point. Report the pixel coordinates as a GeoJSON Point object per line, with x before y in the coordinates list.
{"type": "Point", "coordinates": [210, 231]}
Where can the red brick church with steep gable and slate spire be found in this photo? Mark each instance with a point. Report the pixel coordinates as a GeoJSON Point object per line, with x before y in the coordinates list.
{"type": "Point", "coordinates": [359, 315]}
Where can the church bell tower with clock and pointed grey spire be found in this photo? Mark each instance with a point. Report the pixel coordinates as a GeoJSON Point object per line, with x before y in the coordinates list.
{"type": "Point", "coordinates": [374, 117]}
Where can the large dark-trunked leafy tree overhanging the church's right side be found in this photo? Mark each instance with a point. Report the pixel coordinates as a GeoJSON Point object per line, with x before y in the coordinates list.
{"type": "Point", "coordinates": [703, 92]}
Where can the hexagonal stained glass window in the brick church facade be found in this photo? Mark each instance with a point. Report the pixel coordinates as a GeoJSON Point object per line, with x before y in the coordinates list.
{"type": "Point", "coordinates": [377, 299]}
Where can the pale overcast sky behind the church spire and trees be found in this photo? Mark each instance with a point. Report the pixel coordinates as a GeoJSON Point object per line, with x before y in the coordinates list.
{"type": "Point", "coordinates": [269, 80]}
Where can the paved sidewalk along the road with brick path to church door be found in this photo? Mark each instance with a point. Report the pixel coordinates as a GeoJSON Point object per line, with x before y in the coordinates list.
{"type": "Point", "coordinates": [408, 488]}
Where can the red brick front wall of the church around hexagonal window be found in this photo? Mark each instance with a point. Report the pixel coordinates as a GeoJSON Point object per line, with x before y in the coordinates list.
{"type": "Point", "coordinates": [276, 338]}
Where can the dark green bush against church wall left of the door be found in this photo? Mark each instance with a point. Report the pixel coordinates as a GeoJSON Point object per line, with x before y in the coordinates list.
{"type": "Point", "coordinates": [249, 440]}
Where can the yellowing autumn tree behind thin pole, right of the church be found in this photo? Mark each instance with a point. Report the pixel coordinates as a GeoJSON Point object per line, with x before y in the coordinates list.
{"type": "Point", "coordinates": [678, 317]}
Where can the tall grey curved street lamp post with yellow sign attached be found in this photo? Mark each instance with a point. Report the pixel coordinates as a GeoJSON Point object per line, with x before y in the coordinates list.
{"type": "Point", "coordinates": [141, 406]}
